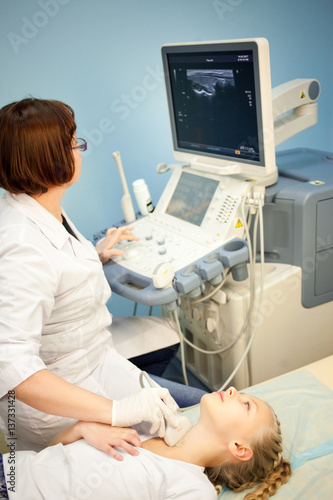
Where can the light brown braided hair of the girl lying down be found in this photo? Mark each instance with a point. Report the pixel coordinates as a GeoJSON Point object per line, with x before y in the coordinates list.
{"type": "Point", "coordinates": [266, 470]}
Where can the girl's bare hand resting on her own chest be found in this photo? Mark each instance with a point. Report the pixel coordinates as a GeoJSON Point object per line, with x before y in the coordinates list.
{"type": "Point", "coordinates": [101, 436]}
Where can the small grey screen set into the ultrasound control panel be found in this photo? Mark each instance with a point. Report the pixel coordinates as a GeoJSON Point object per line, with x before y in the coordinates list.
{"type": "Point", "coordinates": [191, 198]}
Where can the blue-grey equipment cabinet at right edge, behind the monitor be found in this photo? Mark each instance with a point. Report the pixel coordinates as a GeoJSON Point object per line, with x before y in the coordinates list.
{"type": "Point", "coordinates": [298, 221]}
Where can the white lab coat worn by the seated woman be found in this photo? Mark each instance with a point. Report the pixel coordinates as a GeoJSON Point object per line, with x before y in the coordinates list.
{"type": "Point", "coordinates": [52, 315]}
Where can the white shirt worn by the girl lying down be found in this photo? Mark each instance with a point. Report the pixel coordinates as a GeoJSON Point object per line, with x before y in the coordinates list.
{"type": "Point", "coordinates": [78, 471]}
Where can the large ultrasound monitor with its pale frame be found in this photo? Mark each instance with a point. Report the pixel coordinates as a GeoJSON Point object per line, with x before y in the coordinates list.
{"type": "Point", "coordinates": [220, 107]}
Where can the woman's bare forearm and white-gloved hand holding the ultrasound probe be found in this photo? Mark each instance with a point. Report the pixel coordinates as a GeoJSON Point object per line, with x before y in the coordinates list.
{"type": "Point", "coordinates": [49, 393]}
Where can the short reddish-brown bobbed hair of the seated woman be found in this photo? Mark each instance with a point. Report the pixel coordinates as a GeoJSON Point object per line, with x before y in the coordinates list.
{"type": "Point", "coordinates": [35, 145]}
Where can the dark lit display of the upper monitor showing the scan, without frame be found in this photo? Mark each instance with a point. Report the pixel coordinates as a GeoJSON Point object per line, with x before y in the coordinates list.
{"type": "Point", "coordinates": [214, 105]}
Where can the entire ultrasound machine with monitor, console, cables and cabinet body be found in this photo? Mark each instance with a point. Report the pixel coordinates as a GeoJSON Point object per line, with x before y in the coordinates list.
{"type": "Point", "coordinates": [239, 248]}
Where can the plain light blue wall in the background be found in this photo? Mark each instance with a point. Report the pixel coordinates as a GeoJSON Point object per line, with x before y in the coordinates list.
{"type": "Point", "coordinates": [103, 58]}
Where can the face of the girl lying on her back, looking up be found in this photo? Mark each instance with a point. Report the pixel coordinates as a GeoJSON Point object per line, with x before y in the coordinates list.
{"type": "Point", "coordinates": [235, 416]}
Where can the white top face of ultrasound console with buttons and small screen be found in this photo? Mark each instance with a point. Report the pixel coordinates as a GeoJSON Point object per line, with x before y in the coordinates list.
{"type": "Point", "coordinates": [195, 215]}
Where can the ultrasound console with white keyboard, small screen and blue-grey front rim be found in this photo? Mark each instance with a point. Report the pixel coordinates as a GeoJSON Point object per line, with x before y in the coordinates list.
{"type": "Point", "coordinates": [197, 214]}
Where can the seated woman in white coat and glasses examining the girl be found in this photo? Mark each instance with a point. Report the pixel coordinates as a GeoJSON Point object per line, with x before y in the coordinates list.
{"type": "Point", "coordinates": [56, 364]}
